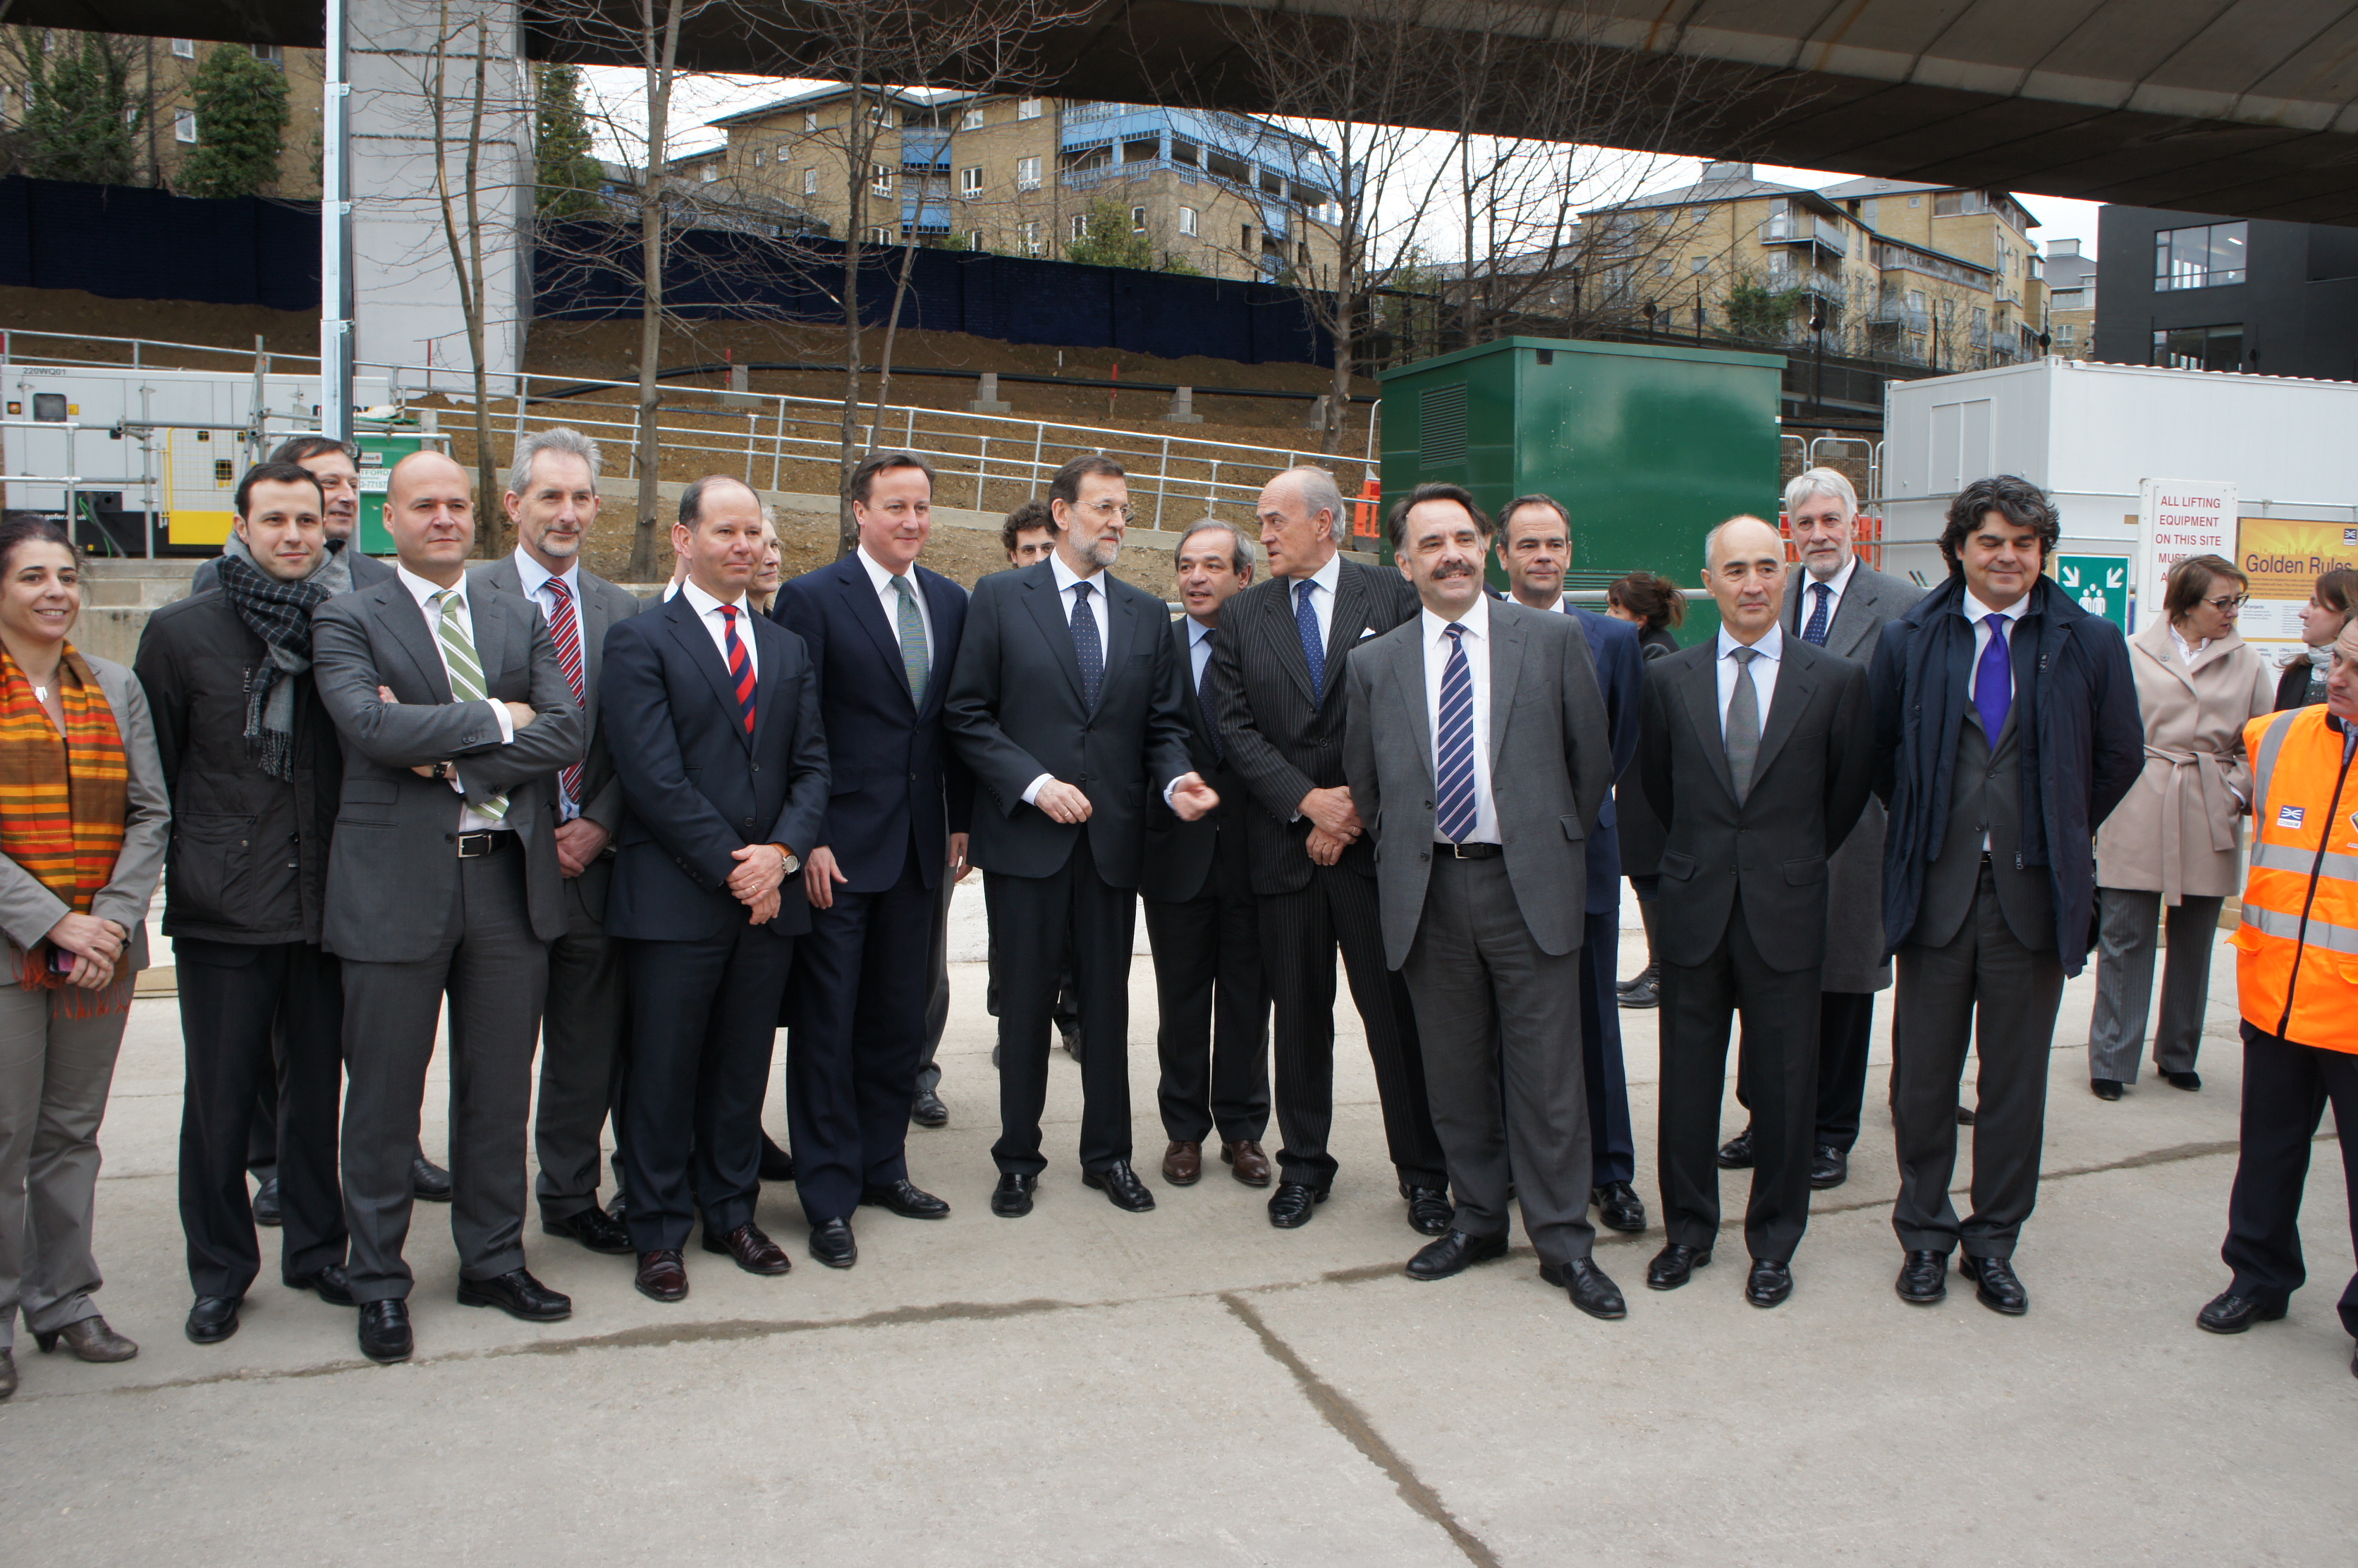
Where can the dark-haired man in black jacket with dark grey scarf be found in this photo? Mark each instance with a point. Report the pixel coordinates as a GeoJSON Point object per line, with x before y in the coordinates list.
{"type": "Point", "coordinates": [256, 770]}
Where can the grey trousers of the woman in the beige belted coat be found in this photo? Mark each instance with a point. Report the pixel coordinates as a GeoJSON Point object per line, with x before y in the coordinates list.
{"type": "Point", "coordinates": [2116, 1034]}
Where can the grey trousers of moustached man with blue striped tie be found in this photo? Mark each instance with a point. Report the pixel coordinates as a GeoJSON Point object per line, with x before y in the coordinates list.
{"type": "Point", "coordinates": [1491, 1006]}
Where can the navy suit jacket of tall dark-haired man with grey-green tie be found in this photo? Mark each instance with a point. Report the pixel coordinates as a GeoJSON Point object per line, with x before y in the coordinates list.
{"type": "Point", "coordinates": [890, 770]}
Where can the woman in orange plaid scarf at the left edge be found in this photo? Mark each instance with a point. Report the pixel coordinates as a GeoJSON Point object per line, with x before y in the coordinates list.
{"type": "Point", "coordinates": [84, 826]}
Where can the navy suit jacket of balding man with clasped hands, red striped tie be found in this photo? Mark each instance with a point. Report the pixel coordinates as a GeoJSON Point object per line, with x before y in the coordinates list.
{"type": "Point", "coordinates": [694, 786]}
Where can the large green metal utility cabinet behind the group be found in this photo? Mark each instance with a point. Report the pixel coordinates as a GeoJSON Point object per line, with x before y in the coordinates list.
{"type": "Point", "coordinates": [1649, 447]}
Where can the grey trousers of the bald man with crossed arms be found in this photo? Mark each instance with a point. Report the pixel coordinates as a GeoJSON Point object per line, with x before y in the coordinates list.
{"type": "Point", "coordinates": [496, 973]}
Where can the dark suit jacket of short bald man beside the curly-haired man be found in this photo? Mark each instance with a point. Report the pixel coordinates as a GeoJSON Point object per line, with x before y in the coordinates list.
{"type": "Point", "coordinates": [1810, 782]}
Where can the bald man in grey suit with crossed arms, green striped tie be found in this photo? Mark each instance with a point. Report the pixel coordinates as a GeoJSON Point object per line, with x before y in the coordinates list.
{"type": "Point", "coordinates": [442, 878]}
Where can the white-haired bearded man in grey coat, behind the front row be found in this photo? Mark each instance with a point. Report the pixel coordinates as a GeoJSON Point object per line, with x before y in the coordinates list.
{"type": "Point", "coordinates": [1840, 605]}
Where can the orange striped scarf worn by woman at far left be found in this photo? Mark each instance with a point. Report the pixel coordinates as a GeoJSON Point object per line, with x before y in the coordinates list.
{"type": "Point", "coordinates": [62, 798]}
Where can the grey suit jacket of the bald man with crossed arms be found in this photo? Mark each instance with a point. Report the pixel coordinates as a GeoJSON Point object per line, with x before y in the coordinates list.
{"type": "Point", "coordinates": [393, 869]}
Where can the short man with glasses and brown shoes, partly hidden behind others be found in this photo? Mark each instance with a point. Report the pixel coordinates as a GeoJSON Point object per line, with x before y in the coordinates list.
{"type": "Point", "coordinates": [1201, 916]}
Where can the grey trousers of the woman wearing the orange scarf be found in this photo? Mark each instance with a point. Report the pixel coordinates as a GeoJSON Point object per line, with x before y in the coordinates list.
{"type": "Point", "coordinates": [55, 1074]}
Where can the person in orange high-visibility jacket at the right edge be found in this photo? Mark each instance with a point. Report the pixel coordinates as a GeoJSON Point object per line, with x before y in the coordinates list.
{"type": "Point", "coordinates": [2298, 991]}
